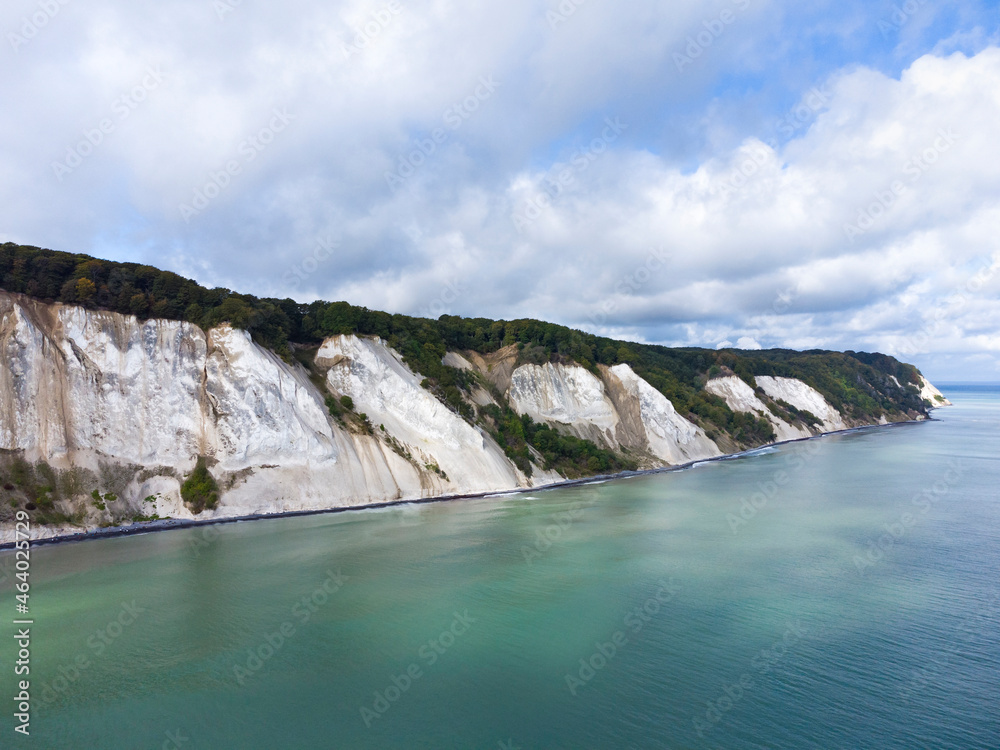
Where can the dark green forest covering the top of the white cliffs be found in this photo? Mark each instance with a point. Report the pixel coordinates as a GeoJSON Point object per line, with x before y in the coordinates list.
{"type": "Point", "coordinates": [859, 384]}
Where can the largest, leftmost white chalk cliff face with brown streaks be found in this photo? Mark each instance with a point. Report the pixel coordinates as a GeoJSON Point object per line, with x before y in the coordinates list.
{"type": "Point", "coordinates": [120, 398]}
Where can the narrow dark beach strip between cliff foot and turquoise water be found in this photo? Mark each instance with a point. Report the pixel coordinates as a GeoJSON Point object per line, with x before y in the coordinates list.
{"type": "Point", "coordinates": [187, 523]}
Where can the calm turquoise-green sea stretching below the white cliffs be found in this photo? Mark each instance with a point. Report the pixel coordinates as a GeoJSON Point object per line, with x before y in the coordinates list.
{"type": "Point", "coordinates": [856, 606]}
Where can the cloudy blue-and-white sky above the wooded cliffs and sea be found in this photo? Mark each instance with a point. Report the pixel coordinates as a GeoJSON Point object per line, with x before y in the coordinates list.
{"type": "Point", "coordinates": [744, 172]}
